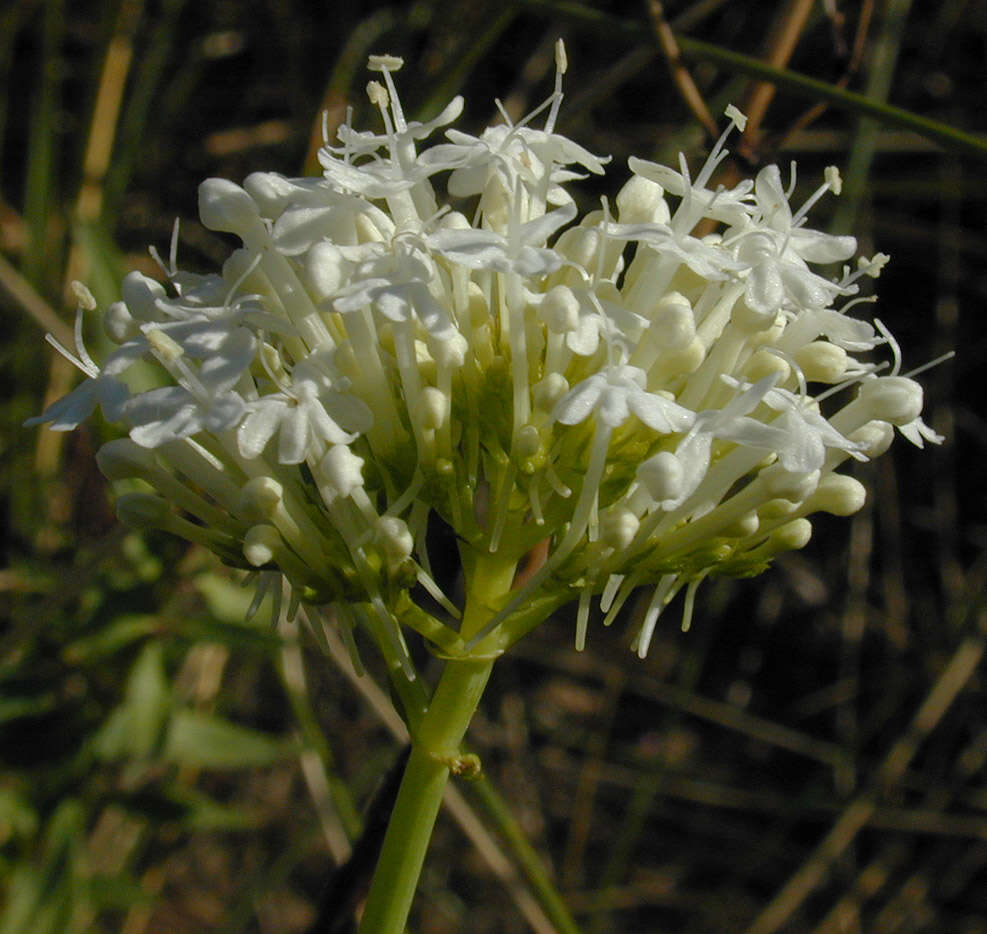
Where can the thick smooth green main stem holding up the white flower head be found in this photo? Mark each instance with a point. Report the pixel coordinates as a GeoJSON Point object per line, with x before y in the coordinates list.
{"type": "Point", "coordinates": [435, 750]}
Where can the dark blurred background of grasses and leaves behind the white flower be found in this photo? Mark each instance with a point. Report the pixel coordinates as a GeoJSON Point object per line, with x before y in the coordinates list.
{"type": "Point", "coordinates": [810, 757]}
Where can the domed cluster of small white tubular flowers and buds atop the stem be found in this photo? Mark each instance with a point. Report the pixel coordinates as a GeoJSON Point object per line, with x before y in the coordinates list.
{"type": "Point", "coordinates": [643, 394]}
